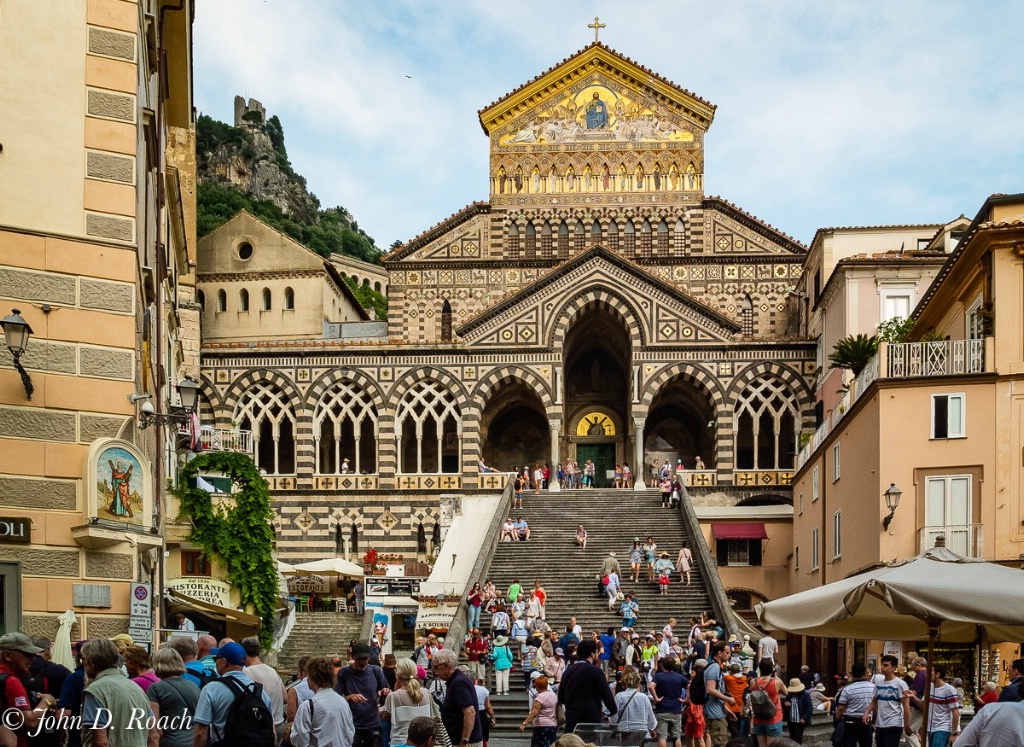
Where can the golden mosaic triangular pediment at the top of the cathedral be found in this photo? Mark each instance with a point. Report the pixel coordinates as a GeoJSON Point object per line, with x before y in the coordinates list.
{"type": "Point", "coordinates": [630, 103]}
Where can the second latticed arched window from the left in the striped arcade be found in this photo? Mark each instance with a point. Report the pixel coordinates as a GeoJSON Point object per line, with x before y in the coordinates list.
{"type": "Point", "coordinates": [346, 428]}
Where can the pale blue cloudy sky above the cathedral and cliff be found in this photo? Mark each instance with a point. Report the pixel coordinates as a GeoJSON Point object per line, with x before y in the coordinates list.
{"type": "Point", "coordinates": [829, 113]}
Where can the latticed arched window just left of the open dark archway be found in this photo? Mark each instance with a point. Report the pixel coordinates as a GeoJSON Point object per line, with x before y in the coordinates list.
{"type": "Point", "coordinates": [429, 430]}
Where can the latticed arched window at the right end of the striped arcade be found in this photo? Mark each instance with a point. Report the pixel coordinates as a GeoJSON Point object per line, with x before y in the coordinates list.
{"type": "Point", "coordinates": [766, 427]}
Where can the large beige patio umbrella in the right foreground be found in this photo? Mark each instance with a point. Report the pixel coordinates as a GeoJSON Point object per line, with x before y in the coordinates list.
{"type": "Point", "coordinates": [935, 594]}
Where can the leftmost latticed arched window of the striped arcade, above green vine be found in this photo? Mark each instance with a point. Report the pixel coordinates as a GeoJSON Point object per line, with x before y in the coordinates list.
{"type": "Point", "coordinates": [266, 411]}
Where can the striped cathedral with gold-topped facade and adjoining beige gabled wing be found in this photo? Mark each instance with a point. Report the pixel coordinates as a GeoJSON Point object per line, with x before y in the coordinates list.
{"type": "Point", "coordinates": [599, 306]}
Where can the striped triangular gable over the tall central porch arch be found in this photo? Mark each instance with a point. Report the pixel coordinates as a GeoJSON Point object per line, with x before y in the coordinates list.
{"type": "Point", "coordinates": [664, 315]}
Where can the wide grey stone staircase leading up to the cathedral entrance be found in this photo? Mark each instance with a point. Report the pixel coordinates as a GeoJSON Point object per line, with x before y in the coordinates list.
{"type": "Point", "coordinates": [569, 574]}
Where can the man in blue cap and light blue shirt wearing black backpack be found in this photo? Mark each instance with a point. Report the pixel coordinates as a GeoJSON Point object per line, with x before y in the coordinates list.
{"type": "Point", "coordinates": [234, 711]}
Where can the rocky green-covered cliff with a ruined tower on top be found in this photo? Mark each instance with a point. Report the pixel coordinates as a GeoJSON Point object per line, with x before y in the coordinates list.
{"type": "Point", "coordinates": [246, 167]}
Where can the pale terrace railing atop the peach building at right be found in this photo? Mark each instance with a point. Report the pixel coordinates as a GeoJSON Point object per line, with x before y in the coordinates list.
{"type": "Point", "coordinates": [902, 361]}
